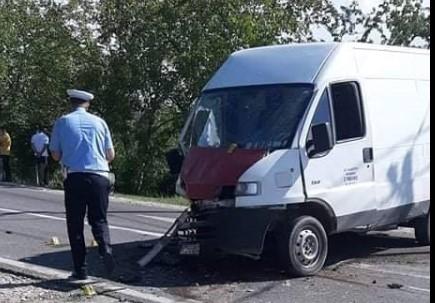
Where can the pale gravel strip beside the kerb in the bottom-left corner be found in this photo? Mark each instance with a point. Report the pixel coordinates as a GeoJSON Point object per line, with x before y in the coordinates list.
{"type": "Point", "coordinates": [18, 289]}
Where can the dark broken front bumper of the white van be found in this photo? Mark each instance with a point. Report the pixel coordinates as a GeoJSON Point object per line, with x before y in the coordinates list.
{"type": "Point", "coordinates": [240, 231]}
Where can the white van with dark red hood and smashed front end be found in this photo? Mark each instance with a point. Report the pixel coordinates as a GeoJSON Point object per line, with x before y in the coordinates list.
{"type": "Point", "coordinates": [303, 141]}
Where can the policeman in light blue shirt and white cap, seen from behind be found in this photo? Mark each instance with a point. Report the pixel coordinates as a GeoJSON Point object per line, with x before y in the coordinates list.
{"type": "Point", "coordinates": [83, 144]}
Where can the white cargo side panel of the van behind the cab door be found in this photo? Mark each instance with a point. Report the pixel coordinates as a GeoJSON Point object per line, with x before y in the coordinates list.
{"type": "Point", "coordinates": [398, 98]}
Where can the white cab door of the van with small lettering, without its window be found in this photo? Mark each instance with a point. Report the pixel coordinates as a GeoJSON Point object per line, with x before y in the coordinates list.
{"type": "Point", "coordinates": [327, 177]}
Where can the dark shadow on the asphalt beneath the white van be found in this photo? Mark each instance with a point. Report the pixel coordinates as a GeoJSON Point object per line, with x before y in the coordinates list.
{"type": "Point", "coordinates": [170, 271]}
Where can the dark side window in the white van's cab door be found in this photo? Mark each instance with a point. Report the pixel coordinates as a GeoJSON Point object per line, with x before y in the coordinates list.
{"type": "Point", "coordinates": [348, 111]}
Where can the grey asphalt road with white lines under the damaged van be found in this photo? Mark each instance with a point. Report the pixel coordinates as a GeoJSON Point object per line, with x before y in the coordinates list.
{"type": "Point", "coordinates": [379, 267]}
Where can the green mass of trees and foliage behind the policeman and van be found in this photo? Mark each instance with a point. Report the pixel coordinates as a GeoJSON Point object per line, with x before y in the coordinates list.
{"type": "Point", "coordinates": [146, 61]}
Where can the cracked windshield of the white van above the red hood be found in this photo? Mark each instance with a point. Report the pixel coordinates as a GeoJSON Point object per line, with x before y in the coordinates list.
{"type": "Point", "coordinates": [260, 117]}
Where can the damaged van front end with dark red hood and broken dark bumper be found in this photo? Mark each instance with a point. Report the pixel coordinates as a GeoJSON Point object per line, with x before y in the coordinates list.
{"type": "Point", "coordinates": [222, 219]}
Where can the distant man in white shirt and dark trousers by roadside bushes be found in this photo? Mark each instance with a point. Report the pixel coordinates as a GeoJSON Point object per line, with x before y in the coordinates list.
{"type": "Point", "coordinates": [40, 143]}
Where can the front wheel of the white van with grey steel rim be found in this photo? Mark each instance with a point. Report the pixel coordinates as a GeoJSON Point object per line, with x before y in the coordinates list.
{"type": "Point", "coordinates": [303, 246]}
